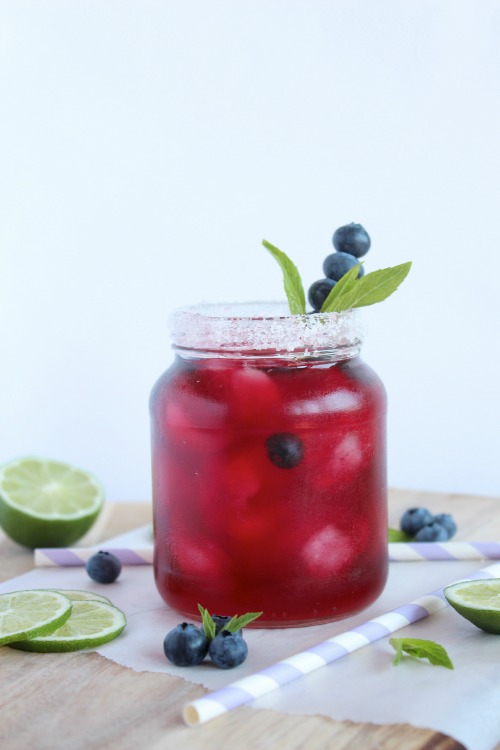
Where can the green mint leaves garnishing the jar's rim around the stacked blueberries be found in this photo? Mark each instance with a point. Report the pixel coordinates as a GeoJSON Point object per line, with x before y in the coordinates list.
{"type": "Point", "coordinates": [347, 293]}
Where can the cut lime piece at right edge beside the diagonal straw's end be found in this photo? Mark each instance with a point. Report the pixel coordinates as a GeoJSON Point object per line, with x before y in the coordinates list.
{"type": "Point", "coordinates": [478, 601]}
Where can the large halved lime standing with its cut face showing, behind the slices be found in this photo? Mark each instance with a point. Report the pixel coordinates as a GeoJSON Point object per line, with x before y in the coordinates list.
{"type": "Point", "coordinates": [47, 503]}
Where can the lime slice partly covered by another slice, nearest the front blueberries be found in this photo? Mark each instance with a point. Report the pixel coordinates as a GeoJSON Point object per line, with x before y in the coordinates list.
{"type": "Point", "coordinates": [91, 624]}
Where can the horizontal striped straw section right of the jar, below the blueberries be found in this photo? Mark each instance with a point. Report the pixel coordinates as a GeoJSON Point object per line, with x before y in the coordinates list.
{"type": "Point", "coordinates": [418, 551]}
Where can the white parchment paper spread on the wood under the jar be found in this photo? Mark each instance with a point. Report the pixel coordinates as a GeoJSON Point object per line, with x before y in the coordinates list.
{"type": "Point", "coordinates": [361, 687]}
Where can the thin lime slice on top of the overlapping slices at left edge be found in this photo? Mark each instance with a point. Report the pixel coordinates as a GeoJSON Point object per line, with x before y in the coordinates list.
{"type": "Point", "coordinates": [26, 614]}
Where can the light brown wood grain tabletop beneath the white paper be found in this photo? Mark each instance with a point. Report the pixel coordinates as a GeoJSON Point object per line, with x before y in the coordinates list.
{"type": "Point", "coordinates": [84, 701]}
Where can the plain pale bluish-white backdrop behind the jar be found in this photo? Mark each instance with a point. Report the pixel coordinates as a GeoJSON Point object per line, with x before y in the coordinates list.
{"type": "Point", "coordinates": [148, 146]}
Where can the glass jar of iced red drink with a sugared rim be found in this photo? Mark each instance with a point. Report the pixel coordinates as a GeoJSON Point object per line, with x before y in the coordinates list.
{"type": "Point", "coordinates": [269, 466]}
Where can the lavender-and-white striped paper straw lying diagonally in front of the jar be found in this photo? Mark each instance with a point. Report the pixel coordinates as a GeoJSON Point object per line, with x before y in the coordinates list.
{"type": "Point", "coordinates": [294, 667]}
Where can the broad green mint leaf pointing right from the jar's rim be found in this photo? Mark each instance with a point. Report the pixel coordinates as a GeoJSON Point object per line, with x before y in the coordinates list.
{"type": "Point", "coordinates": [368, 290]}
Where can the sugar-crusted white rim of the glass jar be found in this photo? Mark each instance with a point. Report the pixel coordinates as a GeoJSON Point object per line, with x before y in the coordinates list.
{"type": "Point", "coordinates": [263, 328]}
